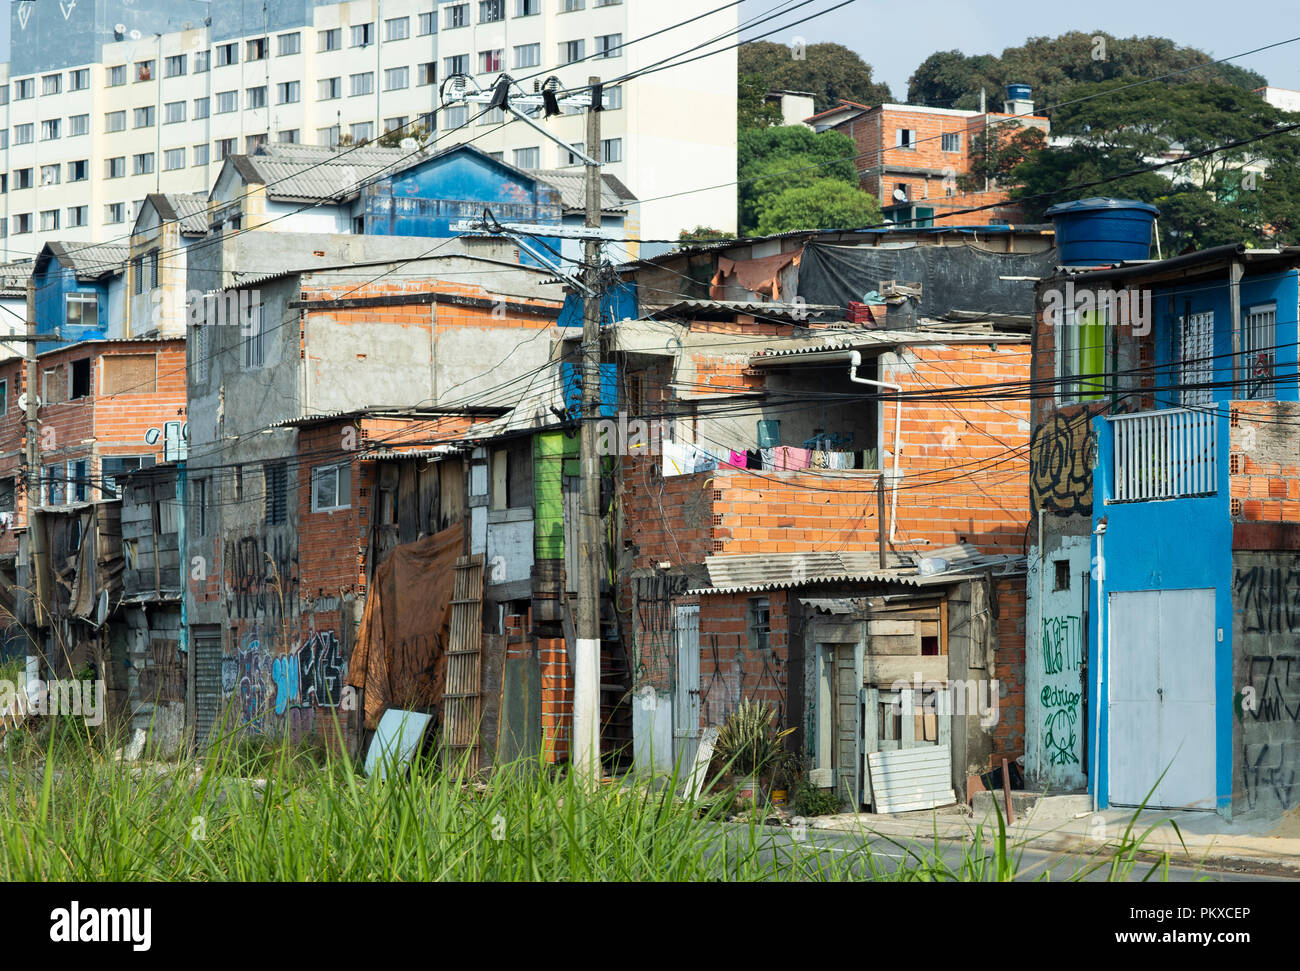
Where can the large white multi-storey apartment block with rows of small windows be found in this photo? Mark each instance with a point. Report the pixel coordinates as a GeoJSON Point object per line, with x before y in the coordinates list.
{"type": "Point", "coordinates": [167, 96]}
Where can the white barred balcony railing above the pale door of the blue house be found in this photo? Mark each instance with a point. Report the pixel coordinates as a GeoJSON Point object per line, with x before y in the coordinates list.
{"type": "Point", "coordinates": [1165, 456]}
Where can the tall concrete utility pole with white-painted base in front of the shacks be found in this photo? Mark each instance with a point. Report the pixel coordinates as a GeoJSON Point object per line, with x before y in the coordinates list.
{"type": "Point", "coordinates": [587, 662]}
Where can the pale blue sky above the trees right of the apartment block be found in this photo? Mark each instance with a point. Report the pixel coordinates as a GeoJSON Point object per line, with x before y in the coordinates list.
{"type": "Point", "coordinates": [896, 36]}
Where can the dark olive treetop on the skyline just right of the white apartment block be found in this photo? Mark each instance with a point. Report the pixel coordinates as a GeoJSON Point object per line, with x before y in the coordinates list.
{"type": "Point", "coordinates": [829, 72]}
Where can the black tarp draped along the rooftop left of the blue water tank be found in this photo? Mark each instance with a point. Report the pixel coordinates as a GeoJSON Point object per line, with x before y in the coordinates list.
{"type": "Point", "coordinates": [952, 278]}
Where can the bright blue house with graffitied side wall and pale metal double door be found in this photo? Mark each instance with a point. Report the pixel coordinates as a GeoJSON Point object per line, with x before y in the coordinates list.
{"type": "Point", "coordinates": [1163, 662]}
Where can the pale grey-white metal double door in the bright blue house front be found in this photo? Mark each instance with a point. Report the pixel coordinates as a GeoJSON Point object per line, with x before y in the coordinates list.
{"type": "Point", "coordinates": [1162, 699]}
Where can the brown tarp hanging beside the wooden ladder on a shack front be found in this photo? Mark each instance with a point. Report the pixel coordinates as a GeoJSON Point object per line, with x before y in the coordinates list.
{"type": "Point", "coordinates": [401, 654]}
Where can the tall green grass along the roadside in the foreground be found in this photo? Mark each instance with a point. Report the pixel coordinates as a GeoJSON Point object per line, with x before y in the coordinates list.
{"type": "Point", "coordinates": [258, 810]}
